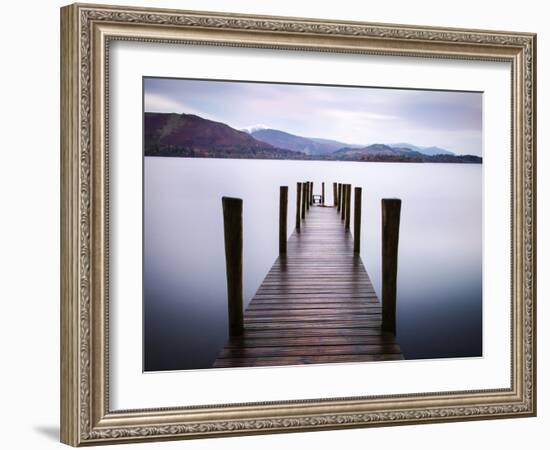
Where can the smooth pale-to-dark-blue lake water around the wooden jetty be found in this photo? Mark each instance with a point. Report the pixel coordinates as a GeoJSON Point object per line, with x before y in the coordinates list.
{"type": "Point", "coordinates": [439, 292]}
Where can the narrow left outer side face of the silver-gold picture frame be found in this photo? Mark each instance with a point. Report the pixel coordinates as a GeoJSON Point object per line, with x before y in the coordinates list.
{"type": "Point", "coordinates": [69, 311]}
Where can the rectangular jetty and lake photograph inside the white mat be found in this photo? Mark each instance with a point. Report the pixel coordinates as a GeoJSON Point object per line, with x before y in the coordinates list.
{"type": "Point", "coordinates": [288, 224]}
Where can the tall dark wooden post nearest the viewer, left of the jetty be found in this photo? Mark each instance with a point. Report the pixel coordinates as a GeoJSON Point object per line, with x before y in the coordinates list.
{"type": "Point", "coordinates": [233, 236]}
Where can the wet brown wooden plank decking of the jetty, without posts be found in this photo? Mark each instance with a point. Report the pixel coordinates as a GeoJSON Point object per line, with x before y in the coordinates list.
{"type": "Point", "coordinates": [316, 305]}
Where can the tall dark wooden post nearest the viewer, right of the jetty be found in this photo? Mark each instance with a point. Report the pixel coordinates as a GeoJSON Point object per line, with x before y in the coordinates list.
{"type": "Point", "coordinates": [391, 211]}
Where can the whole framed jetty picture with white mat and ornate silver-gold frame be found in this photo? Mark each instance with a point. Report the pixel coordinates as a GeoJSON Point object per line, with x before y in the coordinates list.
{"type": "Point", "coordinates": [277, 224]}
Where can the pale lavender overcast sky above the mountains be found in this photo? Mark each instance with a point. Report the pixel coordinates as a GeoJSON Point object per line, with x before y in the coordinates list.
{"type": "Point", "coordinates": [354, 115]}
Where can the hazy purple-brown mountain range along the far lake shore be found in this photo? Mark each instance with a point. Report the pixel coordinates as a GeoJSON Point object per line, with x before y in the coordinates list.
{"type": "Point", "coordinates": [188, 135]}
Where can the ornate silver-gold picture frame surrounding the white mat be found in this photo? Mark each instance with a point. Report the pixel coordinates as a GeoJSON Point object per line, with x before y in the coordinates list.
{"type": "Point", "coordinates": [87, 34]}
